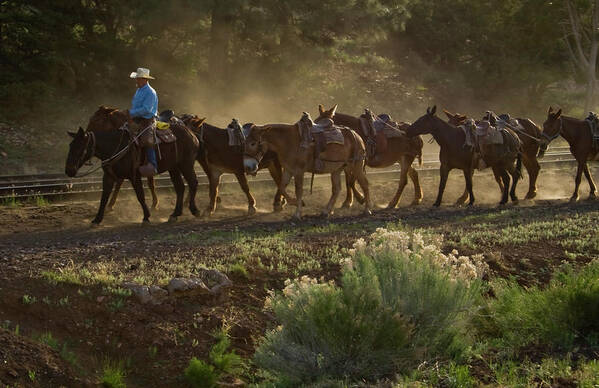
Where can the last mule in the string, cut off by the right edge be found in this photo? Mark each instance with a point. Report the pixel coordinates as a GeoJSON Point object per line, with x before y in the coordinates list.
{"type": "Point", "coordinates": [578, 134]}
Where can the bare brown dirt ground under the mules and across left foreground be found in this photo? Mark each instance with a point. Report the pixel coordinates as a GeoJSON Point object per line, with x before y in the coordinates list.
{"type": "Point", "coordinates": [34, 239]}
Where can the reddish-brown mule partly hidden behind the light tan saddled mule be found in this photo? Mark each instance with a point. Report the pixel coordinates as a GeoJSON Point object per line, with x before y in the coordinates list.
{"type": "Point", "coordinates": [400, 150]}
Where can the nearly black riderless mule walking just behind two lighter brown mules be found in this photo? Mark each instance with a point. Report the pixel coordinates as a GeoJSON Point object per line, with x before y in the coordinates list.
{"type": "Point", "coordinates": [453, 154]}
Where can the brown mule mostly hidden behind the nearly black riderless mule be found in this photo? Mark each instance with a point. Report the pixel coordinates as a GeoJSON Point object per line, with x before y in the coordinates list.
{"type": "Point", "coordinates": [530, 149]}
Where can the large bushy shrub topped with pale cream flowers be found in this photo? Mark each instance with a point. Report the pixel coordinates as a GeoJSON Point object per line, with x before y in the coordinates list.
{"type": "Point", "coordinates": [401, 301]}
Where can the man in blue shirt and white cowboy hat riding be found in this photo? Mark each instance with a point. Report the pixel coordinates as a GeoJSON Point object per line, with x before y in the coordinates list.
{"type": "Point", "coordinates": [144, 108]}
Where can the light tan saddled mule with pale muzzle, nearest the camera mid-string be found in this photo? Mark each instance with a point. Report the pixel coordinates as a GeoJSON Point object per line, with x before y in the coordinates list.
{"type": "Point", "coordinates": [286, 141]}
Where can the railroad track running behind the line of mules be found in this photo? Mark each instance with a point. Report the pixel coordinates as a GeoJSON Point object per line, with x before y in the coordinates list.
{"type": "Point", "coordinates": [58, 185]}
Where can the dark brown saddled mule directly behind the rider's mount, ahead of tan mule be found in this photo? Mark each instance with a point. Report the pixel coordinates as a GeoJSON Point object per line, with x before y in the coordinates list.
{"type": "Point", "coordinates": [217, 157]}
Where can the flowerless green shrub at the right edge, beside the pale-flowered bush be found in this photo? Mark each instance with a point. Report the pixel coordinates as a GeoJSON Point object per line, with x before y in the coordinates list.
{"type": "Point", "coordinates": [563, 314]}
